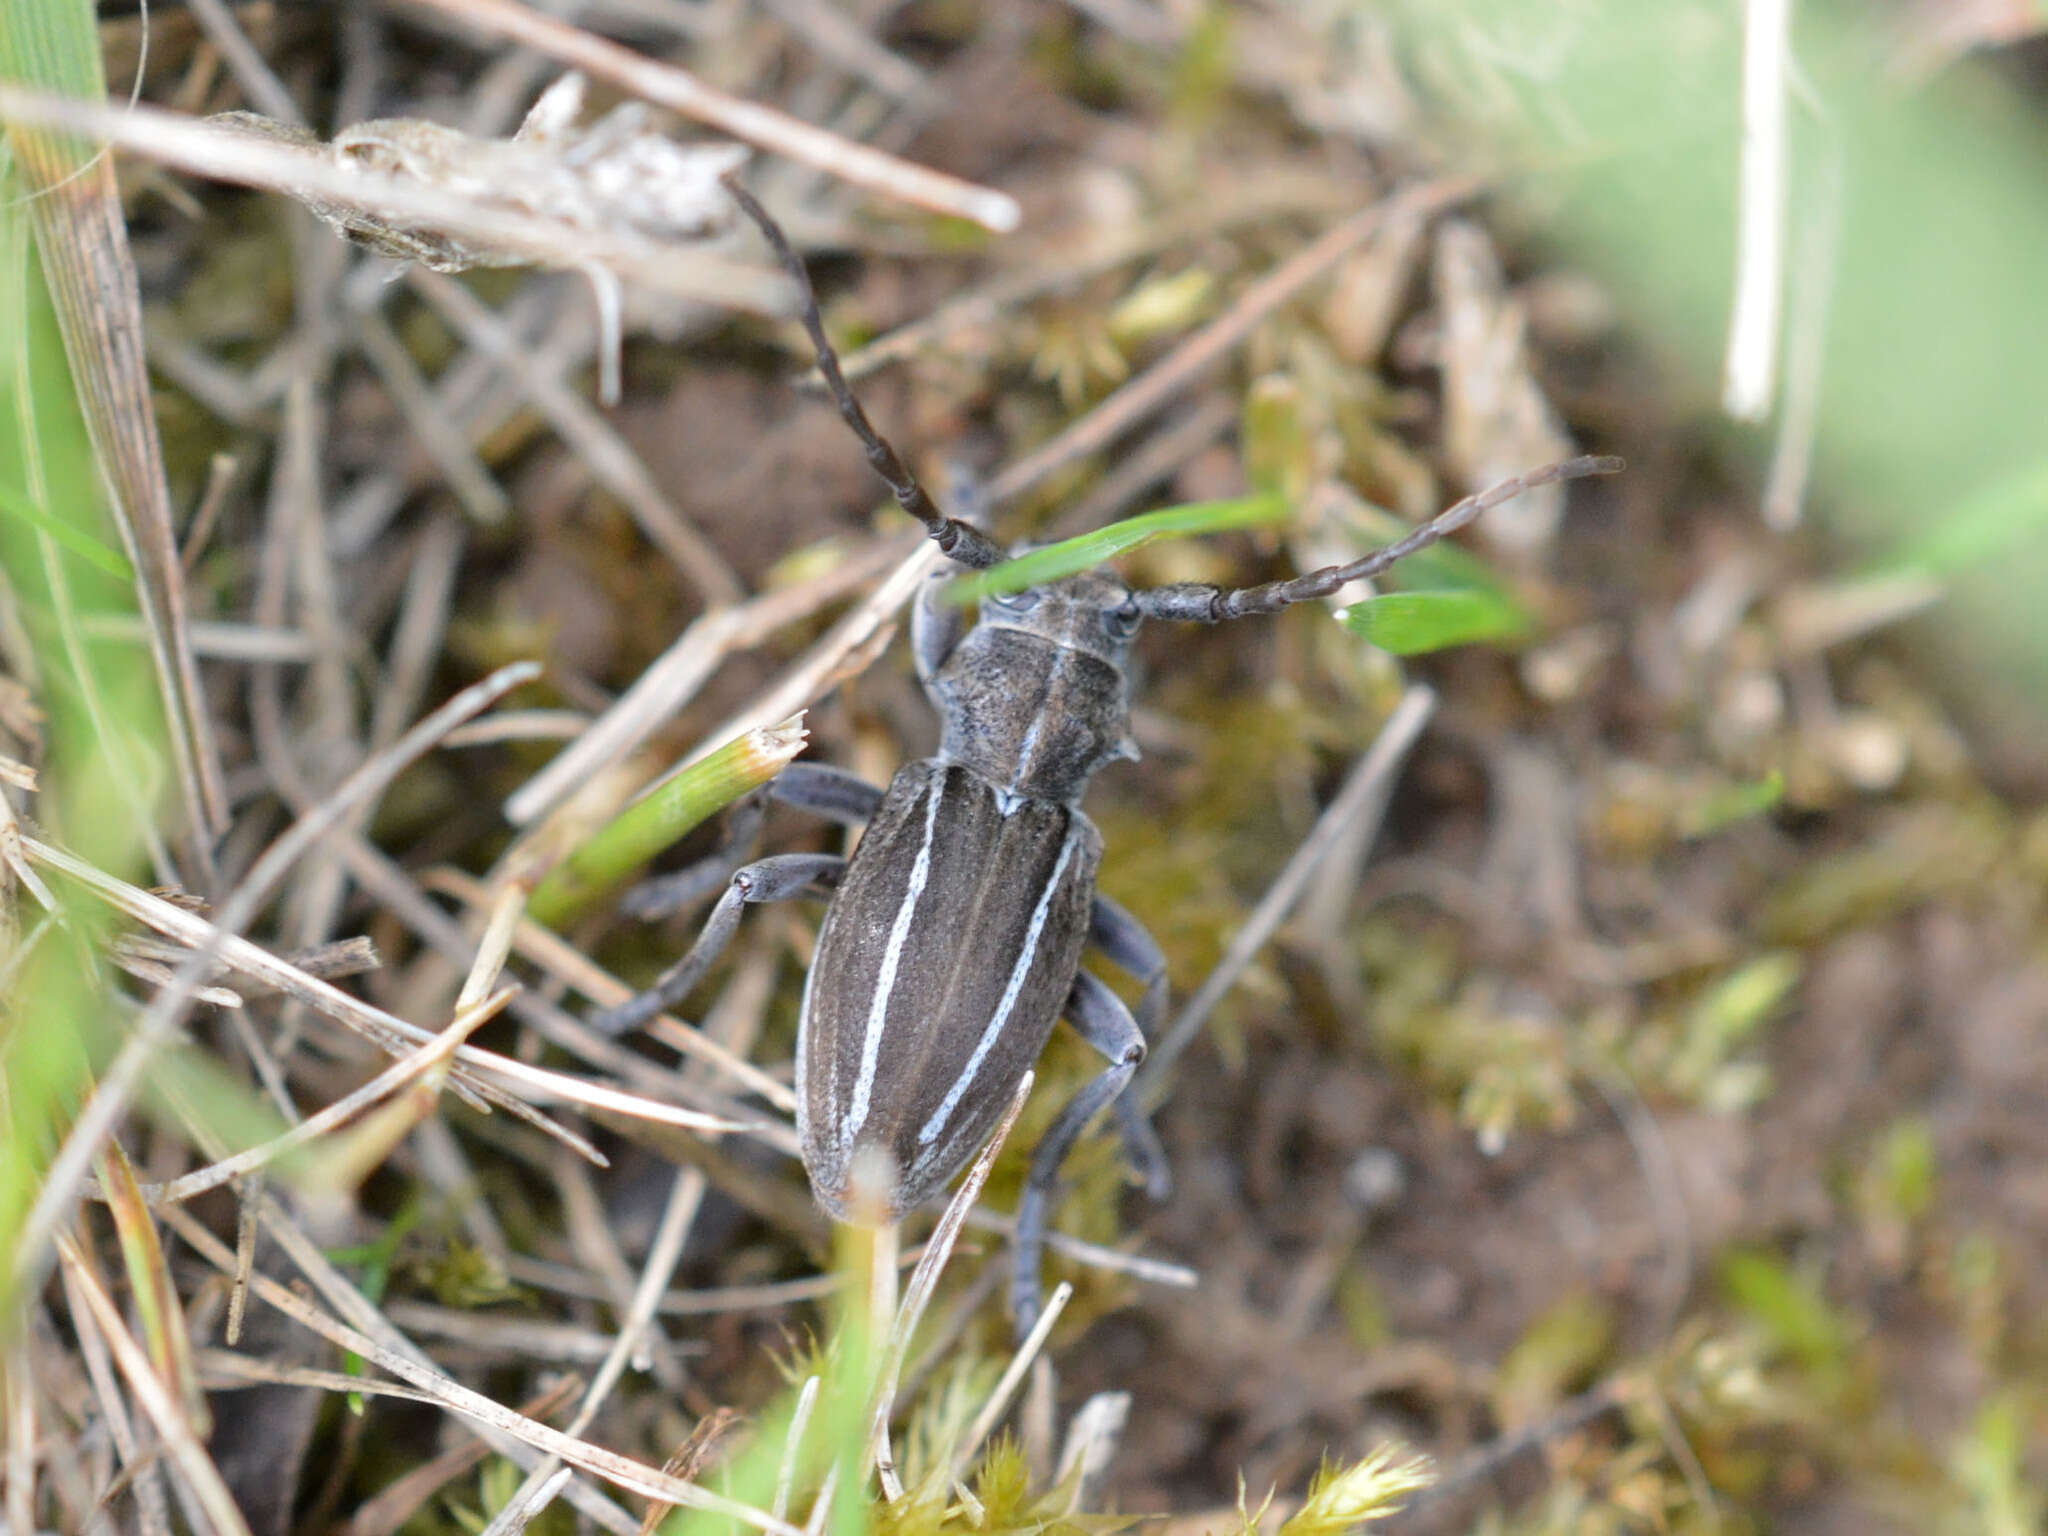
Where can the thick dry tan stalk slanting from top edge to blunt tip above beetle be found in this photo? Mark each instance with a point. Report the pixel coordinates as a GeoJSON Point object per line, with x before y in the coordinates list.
{"type": "Point", "coordinates": [665, 85]}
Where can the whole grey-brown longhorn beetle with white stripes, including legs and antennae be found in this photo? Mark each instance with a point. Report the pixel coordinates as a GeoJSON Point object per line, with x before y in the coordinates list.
{"type": "Point", "coordinates": [953, 935]}
